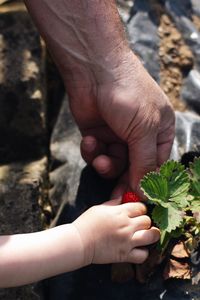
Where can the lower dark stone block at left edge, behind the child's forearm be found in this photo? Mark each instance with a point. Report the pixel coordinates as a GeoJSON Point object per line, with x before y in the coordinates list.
{"type": "Point", "coordinates": [20, 191]}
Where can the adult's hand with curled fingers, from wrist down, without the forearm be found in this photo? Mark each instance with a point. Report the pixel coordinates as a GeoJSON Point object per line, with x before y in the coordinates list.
{"type": "Point", "coordinates": [126, 123]}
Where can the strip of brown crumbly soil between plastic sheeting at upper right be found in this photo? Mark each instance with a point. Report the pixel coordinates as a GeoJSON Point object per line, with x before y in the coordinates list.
{"type": "Point", "coordinates": [176, 60]}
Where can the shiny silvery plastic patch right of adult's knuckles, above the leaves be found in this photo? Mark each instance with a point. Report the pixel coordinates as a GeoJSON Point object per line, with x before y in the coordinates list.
{"type": "Point", "coordinates": [187, 134]}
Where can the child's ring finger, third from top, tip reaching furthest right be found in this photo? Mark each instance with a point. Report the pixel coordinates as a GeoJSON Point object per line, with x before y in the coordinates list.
{"type": "Point", "coordinates": [145, 237]}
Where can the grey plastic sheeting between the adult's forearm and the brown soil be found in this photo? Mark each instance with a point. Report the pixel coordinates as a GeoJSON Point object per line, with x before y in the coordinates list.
{"type": "Point", "coordinates": [144, 40]}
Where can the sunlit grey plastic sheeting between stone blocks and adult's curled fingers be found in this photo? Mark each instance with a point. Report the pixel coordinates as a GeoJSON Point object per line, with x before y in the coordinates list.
{"type": "Point", "coordinates": [66, 160]}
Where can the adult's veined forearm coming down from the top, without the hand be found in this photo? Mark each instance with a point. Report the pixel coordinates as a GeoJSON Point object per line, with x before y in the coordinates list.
{"type": "Point", "coordinates": [85, 37]}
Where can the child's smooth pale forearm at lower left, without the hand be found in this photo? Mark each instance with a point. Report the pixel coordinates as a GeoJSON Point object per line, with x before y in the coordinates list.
{"type": "Point", "coordinates": [26, 258]}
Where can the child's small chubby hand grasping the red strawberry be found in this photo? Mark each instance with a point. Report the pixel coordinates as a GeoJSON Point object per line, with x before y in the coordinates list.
{"type": "Point", "coordinates": [113, 233]}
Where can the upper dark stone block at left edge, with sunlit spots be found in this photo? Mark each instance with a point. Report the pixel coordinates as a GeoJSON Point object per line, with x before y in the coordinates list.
{"type": "Point", "coordinates": [22, 88]}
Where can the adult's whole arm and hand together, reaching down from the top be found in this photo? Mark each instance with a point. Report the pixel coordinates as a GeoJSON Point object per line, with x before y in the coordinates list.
{"type": "Point", "coordinates": [125, 119]}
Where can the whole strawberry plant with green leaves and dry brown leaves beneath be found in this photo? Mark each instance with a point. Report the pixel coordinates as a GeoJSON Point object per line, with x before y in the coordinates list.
{"type": "Point", "coordinates": [174, 199]}
